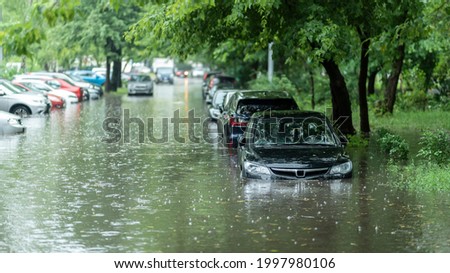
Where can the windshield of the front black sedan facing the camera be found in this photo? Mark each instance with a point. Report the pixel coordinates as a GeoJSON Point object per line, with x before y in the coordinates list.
{"type": "Point", "coordinates": [292, 131]}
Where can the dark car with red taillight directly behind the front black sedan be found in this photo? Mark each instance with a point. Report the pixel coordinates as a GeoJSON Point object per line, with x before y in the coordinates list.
{"type": "Point", "coordinates": [242, 104]}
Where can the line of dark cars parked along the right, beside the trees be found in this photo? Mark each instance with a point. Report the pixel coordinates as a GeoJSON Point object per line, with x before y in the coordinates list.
{"type": "Point", "coordinates": [274, 138]}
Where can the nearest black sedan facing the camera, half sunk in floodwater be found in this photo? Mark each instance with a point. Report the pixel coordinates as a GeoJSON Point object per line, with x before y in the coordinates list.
{"type": "Point", "coordinates": [292, 145]}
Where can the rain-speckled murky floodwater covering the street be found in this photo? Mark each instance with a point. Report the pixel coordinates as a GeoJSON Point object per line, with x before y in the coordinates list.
{"type": "Point", "coordinates": [67, 185]}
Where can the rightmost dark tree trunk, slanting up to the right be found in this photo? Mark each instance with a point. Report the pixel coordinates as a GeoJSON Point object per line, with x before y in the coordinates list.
{"type": "Point", "coordinates": [391, 89]}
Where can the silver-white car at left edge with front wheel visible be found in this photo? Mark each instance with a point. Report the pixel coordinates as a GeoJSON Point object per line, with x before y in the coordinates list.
{"type": "Point", "coordinates": [20, 103]}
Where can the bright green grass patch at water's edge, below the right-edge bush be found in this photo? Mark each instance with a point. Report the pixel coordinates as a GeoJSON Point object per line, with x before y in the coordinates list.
{"type": "Point", "coordinates": [420, 177]}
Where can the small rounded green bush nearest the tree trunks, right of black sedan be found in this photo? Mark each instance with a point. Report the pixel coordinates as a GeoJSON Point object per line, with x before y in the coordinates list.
{"type": "Point", "coordinates": [392, 144]}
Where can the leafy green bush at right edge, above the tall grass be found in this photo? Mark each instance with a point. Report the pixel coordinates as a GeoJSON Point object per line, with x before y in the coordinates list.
{"type": "Point", "coordinates": [435, 147]}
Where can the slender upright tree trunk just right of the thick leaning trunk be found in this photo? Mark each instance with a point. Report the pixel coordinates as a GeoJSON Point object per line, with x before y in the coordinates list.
{"type": "Point", "coordinates": [362, 90]}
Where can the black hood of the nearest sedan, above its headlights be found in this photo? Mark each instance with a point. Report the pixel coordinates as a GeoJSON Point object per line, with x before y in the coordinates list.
{"type": "Point", "coordinates": [297, 156]}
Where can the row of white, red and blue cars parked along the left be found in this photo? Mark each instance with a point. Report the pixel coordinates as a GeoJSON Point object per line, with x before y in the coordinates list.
{"type": "Point", "coordinates": [36, 93]}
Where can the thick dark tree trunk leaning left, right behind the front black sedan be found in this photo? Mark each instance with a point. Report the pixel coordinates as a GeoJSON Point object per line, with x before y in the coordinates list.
{"type": "Point", "coordinates": [342, 109]}
